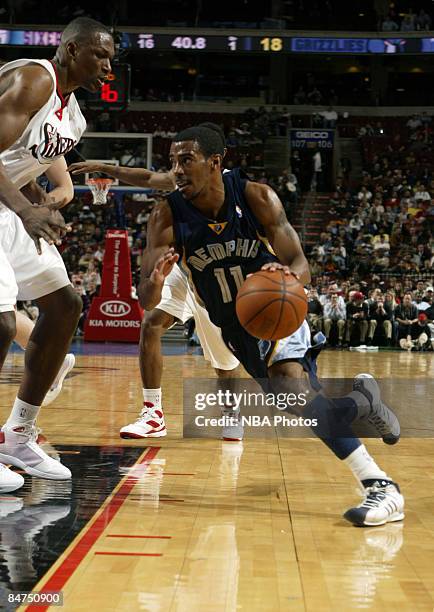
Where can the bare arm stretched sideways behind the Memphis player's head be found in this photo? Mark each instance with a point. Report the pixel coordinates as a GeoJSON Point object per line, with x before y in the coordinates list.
{"type": "Point", "coordinates": [139, 177]}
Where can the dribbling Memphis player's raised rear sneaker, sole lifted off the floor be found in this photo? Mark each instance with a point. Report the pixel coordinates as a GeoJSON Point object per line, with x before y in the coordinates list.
{"type": "Point", "coordinates": [373, 410]}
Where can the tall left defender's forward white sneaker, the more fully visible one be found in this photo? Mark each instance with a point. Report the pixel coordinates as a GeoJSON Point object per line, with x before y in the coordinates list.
{"type": "Point", "coordinates": [18, 447]}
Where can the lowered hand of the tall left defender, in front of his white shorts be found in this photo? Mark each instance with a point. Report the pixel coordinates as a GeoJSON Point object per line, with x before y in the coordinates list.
{"type": "Point", "coordinates": [42, 222]}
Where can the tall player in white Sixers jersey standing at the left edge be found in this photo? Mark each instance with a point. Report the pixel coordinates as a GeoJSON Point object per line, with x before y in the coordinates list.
{"type": "Point", "coordinates": [40, 121]}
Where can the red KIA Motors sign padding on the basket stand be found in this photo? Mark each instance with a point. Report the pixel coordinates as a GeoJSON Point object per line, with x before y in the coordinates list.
{"type": "Point", "coordinates": [114, 315]}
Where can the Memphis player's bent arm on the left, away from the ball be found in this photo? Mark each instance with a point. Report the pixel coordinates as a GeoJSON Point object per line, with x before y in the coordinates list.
{"type": "Point", "coordinates": [159, 257]}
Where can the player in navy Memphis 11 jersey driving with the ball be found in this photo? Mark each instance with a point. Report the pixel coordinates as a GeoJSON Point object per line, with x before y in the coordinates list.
{"type": "Point", "coordinates": [220, 223]}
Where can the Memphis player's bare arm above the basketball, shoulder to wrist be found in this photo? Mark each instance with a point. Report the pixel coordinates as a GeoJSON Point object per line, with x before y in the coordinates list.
{"type": "Point", "coordinates": [269, 211]}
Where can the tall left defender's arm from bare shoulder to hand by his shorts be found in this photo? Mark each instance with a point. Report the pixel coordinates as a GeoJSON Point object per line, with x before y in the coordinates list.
{"type": "Point", "coordinates": [22, 95]}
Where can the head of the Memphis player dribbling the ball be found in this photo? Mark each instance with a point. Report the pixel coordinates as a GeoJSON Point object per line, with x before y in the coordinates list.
{"type": "Point", "coordinates": [196, 156]}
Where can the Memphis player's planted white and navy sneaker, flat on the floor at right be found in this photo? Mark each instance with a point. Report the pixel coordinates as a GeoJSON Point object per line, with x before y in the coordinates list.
{"type": "Point", "coordinates": [383, 503]}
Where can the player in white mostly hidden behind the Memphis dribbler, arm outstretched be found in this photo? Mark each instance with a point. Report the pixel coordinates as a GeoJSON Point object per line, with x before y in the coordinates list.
{"type": "Point", "coordinates": [178, 303]}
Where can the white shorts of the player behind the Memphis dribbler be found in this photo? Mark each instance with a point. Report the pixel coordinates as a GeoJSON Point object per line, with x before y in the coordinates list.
{"type": "Point", "coordinates": [178, 300]}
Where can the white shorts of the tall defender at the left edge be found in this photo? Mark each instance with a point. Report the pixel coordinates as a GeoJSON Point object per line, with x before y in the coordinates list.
{"type": "Point", "coordinates": [25, 275]}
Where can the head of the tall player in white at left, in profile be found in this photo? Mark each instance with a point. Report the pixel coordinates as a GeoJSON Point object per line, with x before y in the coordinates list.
{"type": "Point", "coordinates": [86, 48]}
